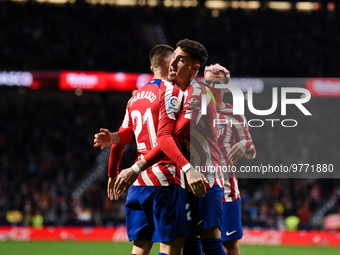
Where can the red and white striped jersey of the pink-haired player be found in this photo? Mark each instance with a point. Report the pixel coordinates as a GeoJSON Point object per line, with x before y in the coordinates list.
{"type": "Point", "coordinates": [232, 129]}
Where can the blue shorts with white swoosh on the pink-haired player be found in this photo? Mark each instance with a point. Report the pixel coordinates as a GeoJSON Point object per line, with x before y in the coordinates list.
{"type": "Point", "coordinates": [231, 223]}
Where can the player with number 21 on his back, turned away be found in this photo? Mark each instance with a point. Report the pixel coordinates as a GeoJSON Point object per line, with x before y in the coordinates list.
{"type": "Point", "coordinates": [156, 203]}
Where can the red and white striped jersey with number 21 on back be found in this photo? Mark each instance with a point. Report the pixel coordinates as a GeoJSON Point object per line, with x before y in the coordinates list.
{"type": "Point", "coordinates": [143, 113]}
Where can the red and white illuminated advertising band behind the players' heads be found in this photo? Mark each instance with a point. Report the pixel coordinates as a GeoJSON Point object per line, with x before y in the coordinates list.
{"type": "Point", "coordinates": [120, 81]}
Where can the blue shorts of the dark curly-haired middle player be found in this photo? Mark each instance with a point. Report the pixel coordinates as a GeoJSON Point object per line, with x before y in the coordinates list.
{"type": "Point", "coordinates": [206, 211]}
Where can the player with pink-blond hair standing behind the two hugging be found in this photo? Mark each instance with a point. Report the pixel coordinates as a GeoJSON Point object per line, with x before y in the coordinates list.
{"type": "Point", "coordinates": [234, 142]}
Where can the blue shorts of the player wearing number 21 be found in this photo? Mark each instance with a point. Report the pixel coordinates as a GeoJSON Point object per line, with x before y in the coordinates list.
{"type": "Point", "coordinates": [156, 213]}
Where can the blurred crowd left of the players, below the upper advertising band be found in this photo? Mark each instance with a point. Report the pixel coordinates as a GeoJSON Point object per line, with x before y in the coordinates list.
{"type": "Point", "coordinates": [46, 148]}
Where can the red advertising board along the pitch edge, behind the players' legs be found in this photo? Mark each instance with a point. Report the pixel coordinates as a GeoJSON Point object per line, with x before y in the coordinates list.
{"type": "Point", "coordinates": [119, 234]}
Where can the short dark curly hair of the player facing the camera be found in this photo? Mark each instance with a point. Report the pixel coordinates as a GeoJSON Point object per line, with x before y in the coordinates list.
{"type": "Point", "coordinates": [196, 50]}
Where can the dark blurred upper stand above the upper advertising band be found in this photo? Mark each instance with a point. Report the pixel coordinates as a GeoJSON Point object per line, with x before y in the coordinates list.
{"type": "Point", "coordinates": [262, 43]}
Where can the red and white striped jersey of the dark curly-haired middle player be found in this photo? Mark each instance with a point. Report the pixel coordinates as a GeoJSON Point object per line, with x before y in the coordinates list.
{"type": "Point", "coordinates": [202, 145]}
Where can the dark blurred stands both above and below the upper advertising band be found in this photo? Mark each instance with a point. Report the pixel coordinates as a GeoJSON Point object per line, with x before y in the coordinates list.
{"type": "Point", "coordinates": [46, 136]}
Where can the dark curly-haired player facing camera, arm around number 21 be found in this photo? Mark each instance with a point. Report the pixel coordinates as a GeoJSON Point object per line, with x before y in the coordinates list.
{"type": "Point", "coordinates": [206, 205]}
